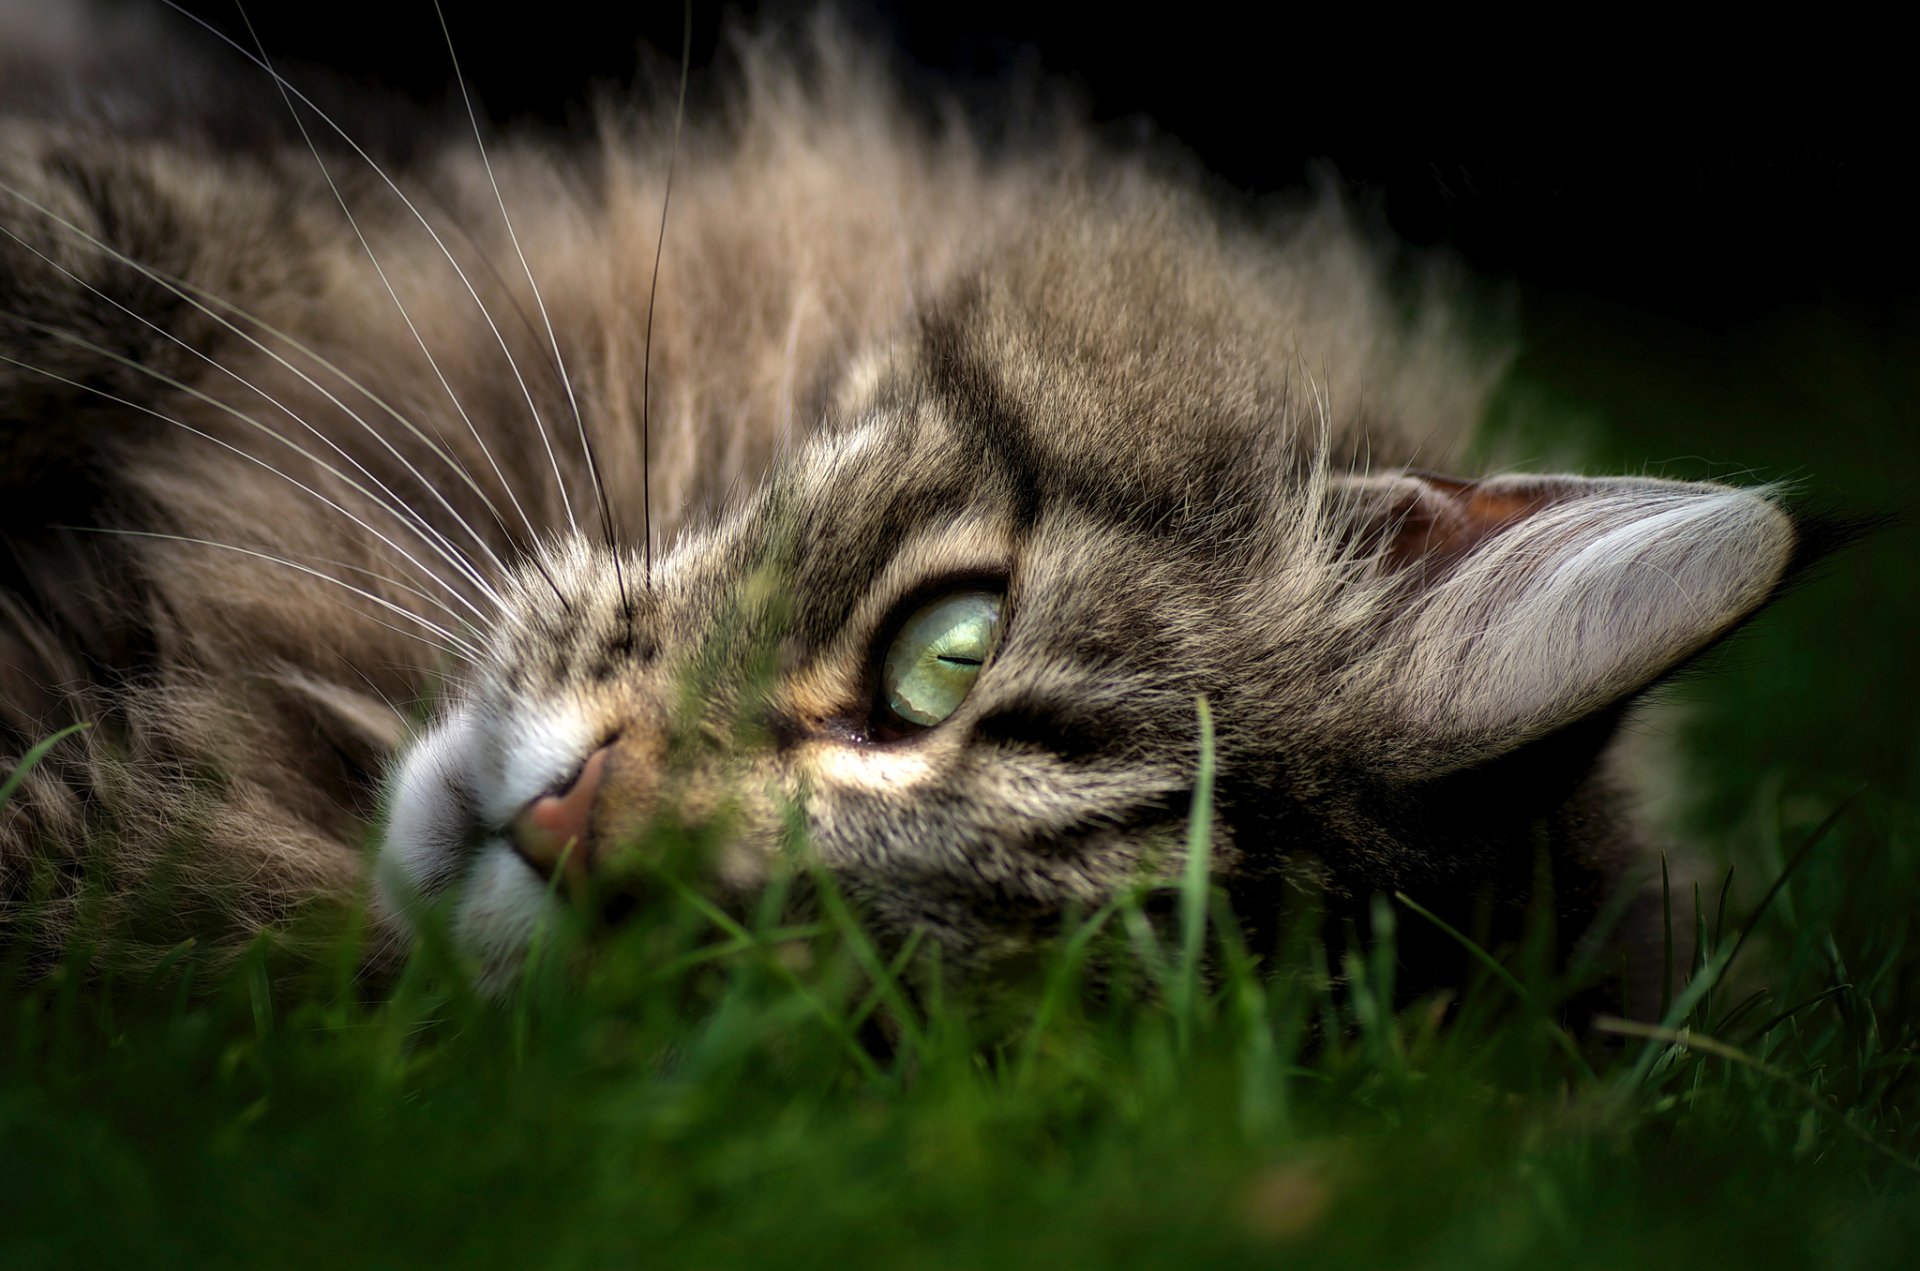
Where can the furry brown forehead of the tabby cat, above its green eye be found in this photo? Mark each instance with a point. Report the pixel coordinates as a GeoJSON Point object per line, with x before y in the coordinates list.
{"type": "Point", "coordinates": [1044, 412]}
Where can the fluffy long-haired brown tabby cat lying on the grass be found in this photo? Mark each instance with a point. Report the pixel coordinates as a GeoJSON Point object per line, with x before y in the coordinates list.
{"type": "Point", "coordinates": [813, 471]}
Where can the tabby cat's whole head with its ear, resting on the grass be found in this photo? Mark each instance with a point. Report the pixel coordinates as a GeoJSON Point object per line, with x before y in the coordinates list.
{"type": "Point", "coordinates": [951, 650]}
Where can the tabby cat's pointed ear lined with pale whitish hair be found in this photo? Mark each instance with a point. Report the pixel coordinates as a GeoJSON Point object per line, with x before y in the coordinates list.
{"type": "Point", "coordinates": [1533, 602]}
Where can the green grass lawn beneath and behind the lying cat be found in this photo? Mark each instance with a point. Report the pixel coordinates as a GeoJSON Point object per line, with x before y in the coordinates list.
{"type": "Point", "coordinates": [713, 1095]}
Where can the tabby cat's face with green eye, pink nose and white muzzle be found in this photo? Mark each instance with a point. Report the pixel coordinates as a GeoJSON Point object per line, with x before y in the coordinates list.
{"type": "Point", "coordinates": [957, 677]}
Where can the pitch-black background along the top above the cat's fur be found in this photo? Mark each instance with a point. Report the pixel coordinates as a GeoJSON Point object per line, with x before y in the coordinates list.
{"type": "Point", "coordinates": [1702, 176]}
